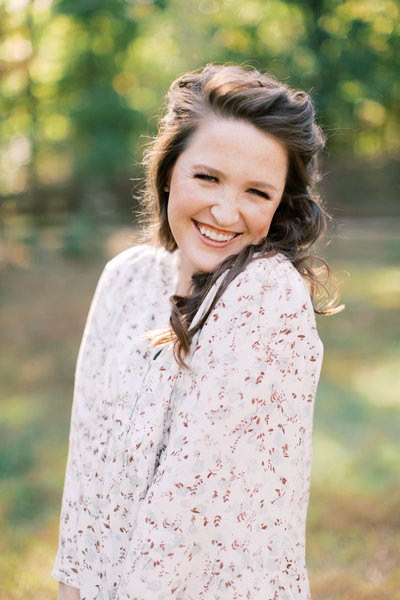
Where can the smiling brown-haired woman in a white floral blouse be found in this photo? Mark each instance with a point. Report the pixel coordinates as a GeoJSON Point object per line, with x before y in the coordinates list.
{"type": "Point", "coordinates": [189, 460]}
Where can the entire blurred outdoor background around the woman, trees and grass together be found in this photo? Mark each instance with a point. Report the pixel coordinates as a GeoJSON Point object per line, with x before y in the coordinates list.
{"type": "Point", "coordinates": [81, 87]}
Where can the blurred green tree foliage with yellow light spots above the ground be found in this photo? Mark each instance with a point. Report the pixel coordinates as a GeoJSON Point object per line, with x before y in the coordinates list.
{"type": "Point", "coordinates": [82, 81]}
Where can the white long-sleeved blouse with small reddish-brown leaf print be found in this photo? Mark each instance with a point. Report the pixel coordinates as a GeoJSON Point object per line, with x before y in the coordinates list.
{"type": "Point", "coordinates": [191, 484]}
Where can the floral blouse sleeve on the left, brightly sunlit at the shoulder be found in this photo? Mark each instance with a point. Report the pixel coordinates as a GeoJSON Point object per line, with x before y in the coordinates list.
{"type": "Point", "coordinates": [110, 365]}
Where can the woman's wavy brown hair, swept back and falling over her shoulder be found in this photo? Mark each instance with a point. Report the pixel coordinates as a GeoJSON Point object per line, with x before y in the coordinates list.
{"type": "Point", "coordinates": [272, 107]}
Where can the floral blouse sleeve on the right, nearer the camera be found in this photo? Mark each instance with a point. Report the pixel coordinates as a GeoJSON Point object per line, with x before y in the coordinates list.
{"type": "Point", "coordinates": [224, 517]}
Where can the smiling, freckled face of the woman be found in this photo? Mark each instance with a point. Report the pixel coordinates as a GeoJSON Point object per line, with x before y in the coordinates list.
{"type": "Point", "coordinates": [224, 190]}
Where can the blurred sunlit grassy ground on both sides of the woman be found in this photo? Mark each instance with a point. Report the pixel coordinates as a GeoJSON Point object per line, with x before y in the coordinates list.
{"type": "Point", "coordinates": [354, 521]}
